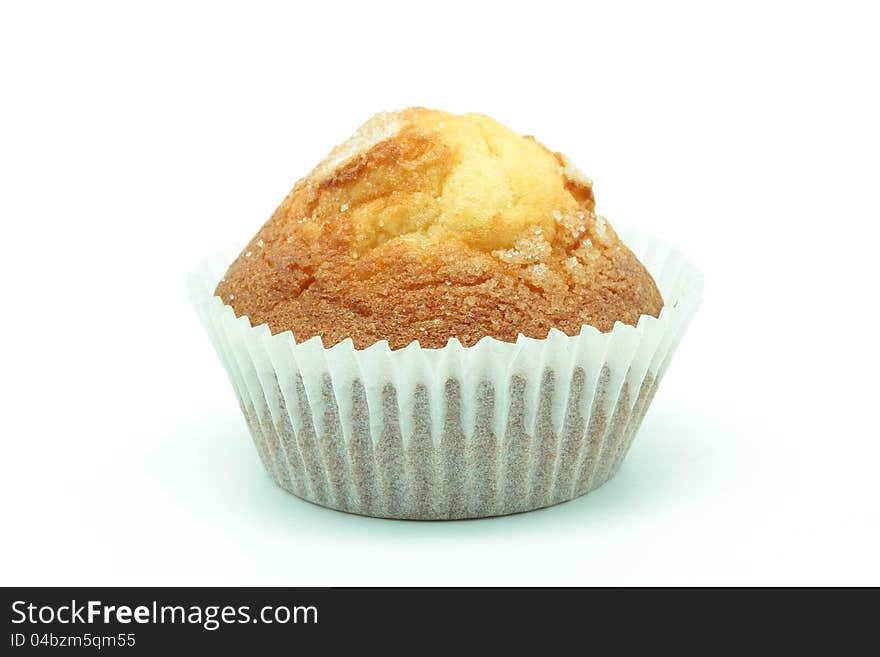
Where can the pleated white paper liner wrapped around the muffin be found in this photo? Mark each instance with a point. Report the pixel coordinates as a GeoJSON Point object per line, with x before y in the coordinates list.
{"type": "Point", "coordinates": [455, 432]}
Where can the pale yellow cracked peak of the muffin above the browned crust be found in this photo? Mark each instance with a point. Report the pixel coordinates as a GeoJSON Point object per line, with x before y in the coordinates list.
{"type": "Point", "coordinates": [433, 176]}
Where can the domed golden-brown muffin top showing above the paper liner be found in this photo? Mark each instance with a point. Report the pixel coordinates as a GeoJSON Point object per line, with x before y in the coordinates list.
{"type": "Point", "coordinates": [427, 226]}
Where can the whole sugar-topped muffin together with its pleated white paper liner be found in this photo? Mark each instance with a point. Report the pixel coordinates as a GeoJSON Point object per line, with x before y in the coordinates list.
{"type": "Point", "coordinates": [435, 323]}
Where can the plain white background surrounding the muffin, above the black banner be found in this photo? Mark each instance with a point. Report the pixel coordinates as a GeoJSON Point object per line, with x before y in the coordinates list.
{"type": "Point", "coordinates": [135, 140]}
